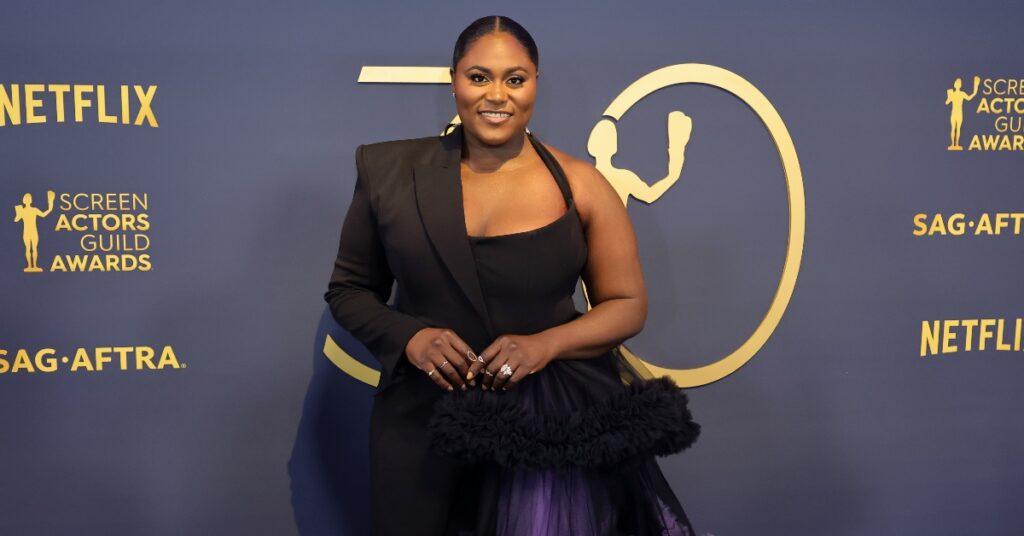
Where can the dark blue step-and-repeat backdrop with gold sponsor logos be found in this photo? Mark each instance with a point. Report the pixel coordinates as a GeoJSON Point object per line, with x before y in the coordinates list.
{"type": "Point", "coordinates": [833, 253]}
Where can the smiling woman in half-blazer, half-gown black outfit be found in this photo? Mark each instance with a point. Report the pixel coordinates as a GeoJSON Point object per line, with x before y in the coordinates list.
{"type": "Point", "coordinates": [503, 410]}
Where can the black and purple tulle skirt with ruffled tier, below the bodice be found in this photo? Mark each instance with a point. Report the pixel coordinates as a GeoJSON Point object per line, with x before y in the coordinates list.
{"type": "Point", "coordinates": [570, 452]}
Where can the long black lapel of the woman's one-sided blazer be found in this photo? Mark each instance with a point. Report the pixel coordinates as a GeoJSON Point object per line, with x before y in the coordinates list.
{"type": "Point", "coordinates": [439, 196]}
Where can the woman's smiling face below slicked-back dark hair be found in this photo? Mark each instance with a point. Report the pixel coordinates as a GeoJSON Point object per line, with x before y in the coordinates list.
{"type": "Point", "coordinates": [496, 74]}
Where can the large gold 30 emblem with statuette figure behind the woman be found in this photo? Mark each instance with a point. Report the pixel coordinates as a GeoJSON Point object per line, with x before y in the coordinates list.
{"type": "Point", "coordinates": [603, 145]}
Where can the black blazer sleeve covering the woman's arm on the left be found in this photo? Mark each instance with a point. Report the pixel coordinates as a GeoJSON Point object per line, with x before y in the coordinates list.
{"type": "Point", "coordinates": [361, 285]}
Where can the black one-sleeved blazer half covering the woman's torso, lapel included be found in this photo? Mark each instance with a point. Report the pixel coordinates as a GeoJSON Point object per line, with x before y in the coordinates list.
{"type": "Point", "coordinates": [406, 224]}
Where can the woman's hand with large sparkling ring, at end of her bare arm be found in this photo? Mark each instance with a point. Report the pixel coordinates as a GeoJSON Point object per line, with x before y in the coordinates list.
{"type": "Point", "coordinates": [524, 354]}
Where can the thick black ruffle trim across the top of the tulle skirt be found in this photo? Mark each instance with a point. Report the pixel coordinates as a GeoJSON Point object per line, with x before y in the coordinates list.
{"type": "Point", "coordinates": [650, 418]}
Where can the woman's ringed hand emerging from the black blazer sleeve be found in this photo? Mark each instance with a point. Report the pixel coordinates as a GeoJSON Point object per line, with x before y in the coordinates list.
{"type": "Point", "coordinates": [432, 348]}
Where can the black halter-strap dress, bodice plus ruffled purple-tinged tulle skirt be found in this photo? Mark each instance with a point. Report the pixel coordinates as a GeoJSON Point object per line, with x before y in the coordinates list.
{"type": "Point", "coordinates": [572, 450]}
